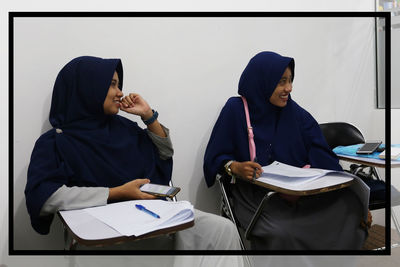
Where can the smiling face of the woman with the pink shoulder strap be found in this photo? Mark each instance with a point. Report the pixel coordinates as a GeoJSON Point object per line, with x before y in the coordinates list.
{"type": "Point", "coordinates": [281, 93]}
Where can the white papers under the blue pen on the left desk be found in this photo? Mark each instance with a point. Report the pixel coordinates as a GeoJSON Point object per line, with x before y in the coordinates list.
{"type": "Point", "coordinates": [127, 220]}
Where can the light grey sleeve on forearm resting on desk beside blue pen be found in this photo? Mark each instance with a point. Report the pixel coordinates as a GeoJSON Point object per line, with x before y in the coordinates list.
{"type": "Point", "coordinates": [69, 198]}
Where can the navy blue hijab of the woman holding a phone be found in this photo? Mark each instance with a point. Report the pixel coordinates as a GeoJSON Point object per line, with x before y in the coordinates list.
{"type": "Point", "coordinates": [87, 147]}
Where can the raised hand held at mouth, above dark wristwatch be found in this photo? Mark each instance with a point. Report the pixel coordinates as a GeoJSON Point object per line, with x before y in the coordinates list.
{"type": "Point", "coordinates": [135, 104]}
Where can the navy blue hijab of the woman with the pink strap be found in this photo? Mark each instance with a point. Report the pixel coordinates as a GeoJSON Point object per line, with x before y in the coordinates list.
{"type": "Point", "coordinates": [289, 134]}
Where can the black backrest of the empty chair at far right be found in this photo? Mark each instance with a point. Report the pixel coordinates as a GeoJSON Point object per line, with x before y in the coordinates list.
{"type": "Point", "coordinates": [341, 134]}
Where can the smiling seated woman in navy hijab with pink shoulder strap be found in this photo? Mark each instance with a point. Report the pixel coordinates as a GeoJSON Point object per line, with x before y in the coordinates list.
{"type": "Point", "coordinates": [284, 132]}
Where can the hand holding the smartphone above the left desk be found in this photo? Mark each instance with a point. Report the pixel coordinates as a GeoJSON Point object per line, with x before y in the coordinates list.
{"type": "Point", "coordinates": [129, 191]}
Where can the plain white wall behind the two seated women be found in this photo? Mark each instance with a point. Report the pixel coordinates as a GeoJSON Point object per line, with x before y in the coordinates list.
{"type": "Point", "coordinates": [186, 68]}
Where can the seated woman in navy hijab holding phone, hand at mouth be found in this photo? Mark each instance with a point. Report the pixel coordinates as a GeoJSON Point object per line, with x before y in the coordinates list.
{"type": "Point", "coordinates": [93, 156]}
